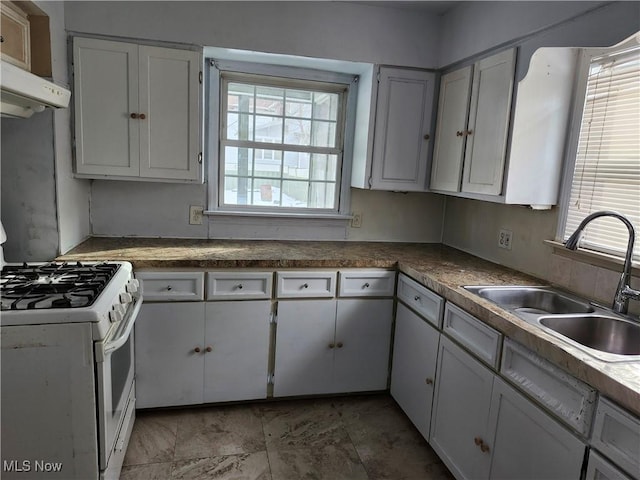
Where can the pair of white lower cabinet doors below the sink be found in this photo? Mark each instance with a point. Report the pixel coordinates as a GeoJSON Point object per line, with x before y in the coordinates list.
{"type": "Point", "coordinates": [484, 428]}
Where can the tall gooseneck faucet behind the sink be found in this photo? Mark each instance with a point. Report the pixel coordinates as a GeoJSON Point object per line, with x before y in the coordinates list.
{"type": "Point", "coordinates": [624, 291]}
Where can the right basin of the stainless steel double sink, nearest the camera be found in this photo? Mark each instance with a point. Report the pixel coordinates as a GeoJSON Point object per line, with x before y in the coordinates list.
{"type": "Point", "coordinates": [602, 333]}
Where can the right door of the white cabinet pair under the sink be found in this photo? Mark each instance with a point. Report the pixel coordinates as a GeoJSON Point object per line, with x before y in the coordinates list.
{"type": "Point", "coordinates": [528, 443]}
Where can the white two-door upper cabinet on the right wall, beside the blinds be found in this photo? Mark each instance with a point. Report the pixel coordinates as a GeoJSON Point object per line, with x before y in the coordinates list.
{"type": "Point", "coordinates": [492, 146]}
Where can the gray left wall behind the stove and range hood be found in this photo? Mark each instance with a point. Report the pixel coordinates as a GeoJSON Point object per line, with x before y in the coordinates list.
{"type": "Point", "coordinates": [45, 210]}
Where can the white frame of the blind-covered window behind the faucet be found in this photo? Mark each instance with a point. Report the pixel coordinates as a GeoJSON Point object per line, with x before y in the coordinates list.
{"type": "Point", "coordinates": [586, 57]}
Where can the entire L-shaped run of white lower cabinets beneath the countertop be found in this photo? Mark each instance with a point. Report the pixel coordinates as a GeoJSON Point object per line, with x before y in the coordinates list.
{"type": "Point", "coordinates": [489, 407]}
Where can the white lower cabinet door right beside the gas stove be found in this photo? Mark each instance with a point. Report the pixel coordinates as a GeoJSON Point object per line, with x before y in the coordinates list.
{"type": "Point", "coordinates": [169, 371]}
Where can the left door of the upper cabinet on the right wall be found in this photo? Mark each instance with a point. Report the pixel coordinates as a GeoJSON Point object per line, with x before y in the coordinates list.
{"type": "Point", "coordinates": [451, 127]}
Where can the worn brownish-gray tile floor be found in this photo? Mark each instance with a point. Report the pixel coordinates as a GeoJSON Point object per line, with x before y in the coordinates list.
{"type": "Point", "coordinates": [343, 438]}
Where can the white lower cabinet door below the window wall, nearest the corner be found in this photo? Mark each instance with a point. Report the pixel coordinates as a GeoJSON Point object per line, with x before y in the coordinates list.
{"type": "Point", "coordinates": [363, 341]}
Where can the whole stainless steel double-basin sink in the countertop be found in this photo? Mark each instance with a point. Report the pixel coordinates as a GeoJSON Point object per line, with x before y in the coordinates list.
{"type": "Point", "coordinates": [591, 328]}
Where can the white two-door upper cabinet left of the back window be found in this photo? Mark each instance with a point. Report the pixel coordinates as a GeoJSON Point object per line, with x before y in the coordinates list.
{"type": "Point", "coordinates": [137, 112]}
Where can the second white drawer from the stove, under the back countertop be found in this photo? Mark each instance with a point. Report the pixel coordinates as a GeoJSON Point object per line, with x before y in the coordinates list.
{"type": "Point", "coordinates": [240, 285]}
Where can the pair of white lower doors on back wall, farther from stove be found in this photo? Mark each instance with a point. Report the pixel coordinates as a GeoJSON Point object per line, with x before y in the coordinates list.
{"type": "Point", "coordinates": [332, 346]}
